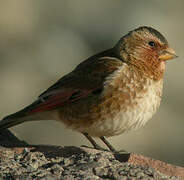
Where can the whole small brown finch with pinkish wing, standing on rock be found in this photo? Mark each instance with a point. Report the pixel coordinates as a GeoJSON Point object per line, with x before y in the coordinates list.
{"type": "Point", "coordinates": [110, 93]}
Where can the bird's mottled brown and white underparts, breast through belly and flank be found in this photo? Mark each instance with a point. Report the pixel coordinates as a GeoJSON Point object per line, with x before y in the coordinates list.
{"type": "Point", "coordinates": [127, 102]}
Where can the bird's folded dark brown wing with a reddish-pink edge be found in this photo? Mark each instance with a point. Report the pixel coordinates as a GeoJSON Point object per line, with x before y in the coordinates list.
{"type": "Point", "coordinates": [86, 79]}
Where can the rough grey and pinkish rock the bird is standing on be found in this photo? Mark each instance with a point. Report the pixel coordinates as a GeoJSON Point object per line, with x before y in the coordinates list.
{"type": "Point", "coordinates": [19, 160]}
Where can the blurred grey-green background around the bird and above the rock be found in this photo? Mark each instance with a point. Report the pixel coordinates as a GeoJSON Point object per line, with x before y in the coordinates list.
{"type": "Point", "coordinates": [40, 41]}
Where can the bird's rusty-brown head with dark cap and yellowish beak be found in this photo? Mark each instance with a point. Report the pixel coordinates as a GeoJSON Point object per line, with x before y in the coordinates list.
{"type": "Point", "coordinates": [146, 49]}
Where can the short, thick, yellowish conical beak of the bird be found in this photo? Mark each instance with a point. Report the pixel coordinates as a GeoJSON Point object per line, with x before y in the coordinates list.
{"type": "Point", "coordinates": [167, 54]}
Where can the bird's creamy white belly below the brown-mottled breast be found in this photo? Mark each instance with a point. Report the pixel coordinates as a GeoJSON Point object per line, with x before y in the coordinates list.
{"type": "Point", "coordinates": [116, 121]}
